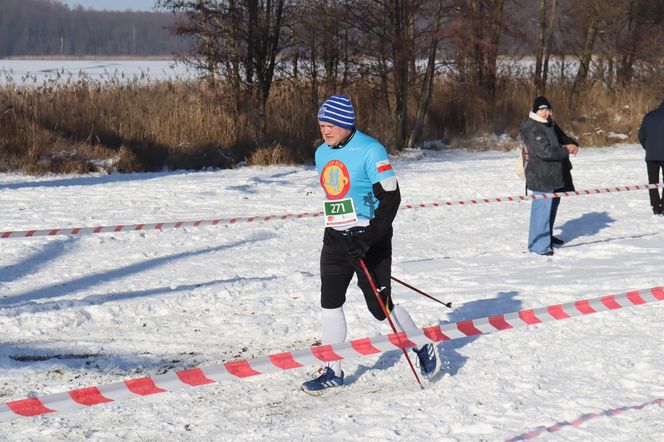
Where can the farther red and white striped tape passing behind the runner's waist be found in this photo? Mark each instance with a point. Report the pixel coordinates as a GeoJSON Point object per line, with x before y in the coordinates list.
{"type": "Point", "coordinates": [294, 216]}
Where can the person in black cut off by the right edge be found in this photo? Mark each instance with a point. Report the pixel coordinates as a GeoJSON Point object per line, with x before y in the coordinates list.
{"type": "Point", "coordinates": [651, 137]}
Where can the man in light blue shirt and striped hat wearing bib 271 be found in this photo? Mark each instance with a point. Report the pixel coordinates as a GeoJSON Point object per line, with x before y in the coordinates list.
{"type": "Point", "coordinates": [361, 200]}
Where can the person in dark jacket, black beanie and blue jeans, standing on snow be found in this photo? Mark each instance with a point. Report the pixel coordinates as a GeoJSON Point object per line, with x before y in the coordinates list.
{"type": "Point", "coordinates": [548, 170]}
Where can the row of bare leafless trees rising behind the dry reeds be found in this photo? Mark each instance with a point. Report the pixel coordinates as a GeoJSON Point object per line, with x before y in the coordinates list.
{"type": "Point", "coordinates": [396, 49]}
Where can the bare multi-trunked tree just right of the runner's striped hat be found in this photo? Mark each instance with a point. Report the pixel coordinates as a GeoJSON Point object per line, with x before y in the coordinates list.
{"type": "Point", "coordinates": [392, 36]}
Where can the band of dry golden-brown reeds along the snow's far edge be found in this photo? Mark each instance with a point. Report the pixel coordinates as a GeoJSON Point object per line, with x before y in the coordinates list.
{"type": "Point", "coordinates": [80, 126]}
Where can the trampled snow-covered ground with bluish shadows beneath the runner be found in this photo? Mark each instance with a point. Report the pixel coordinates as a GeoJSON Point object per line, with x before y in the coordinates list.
{"type": "Point", "coordinates": [89, 310]}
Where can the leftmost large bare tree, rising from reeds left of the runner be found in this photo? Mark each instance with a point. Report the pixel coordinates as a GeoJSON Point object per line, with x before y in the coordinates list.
{"type": "Point", "coordinates": [238, 40]}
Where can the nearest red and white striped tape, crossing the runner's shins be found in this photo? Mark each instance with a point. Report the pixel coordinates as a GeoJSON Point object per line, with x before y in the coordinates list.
{"type": "Point", "coordinates": [120, 391]}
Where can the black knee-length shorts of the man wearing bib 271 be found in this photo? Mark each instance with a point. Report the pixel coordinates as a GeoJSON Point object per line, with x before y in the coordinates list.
{"type": "Point", "coordinates": [337, 268]}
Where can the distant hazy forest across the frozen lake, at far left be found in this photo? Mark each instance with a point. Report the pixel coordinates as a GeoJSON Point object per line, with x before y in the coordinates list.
{"type": "Point", "coordinates": [49, 28]}
